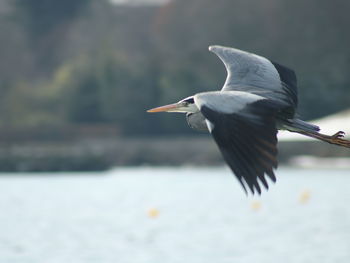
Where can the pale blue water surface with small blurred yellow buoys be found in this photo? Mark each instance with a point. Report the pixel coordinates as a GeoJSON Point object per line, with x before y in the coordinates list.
{"type": "Point", "coordinates": [203, 216]}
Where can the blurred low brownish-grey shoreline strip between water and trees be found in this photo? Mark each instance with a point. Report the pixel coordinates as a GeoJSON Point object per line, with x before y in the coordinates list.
{"type": "Point", "coordinates": [104, 153]}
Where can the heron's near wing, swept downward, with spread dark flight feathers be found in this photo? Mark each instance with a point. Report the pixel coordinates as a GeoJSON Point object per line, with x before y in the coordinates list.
{"type": "Point", "coordinates": [244, 127]}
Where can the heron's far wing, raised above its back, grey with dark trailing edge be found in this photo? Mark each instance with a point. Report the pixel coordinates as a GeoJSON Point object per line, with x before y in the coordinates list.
{"type": "Point", "coordinates": [258, 75]}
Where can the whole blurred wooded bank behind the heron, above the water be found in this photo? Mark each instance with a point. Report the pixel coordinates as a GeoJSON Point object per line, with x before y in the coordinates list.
{"type": "Point", "coordinates": [76, 77]}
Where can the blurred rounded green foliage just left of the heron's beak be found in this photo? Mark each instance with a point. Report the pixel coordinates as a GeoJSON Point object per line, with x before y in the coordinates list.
{"type": "Point", "coordinates": [103, 89]}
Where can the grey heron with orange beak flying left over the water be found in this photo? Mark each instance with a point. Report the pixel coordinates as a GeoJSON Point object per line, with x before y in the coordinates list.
{"type": "Point", "coordinates": [258, 98]}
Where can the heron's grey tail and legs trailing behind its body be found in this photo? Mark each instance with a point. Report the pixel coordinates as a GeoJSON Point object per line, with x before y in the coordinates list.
{"type": "Point", "coordinates": [312, 130]}
